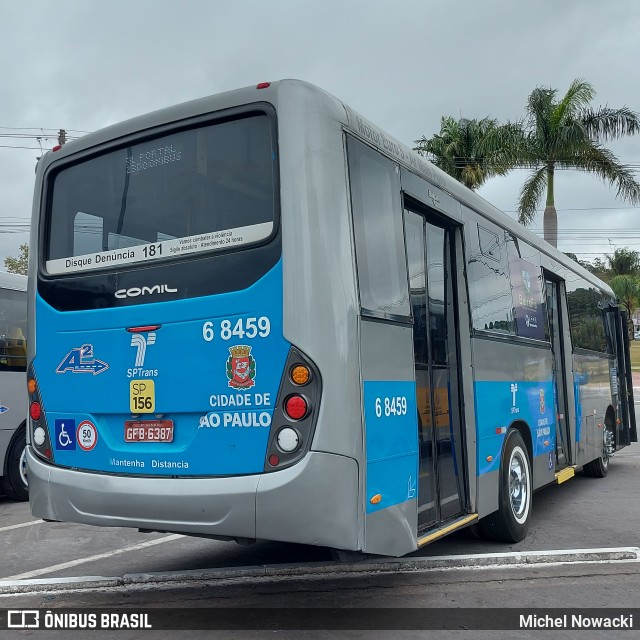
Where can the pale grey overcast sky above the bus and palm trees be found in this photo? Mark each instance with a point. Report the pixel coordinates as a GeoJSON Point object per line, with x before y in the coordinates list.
{"type": "Point", "coordinates": [84, 64]}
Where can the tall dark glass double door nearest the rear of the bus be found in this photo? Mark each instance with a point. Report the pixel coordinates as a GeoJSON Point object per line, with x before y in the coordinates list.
{"type": "Point", "coordinates": [431, 263]}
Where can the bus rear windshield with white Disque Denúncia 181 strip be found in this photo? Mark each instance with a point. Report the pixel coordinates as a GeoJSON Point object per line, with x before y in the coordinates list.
{"type": "Point", "coordinates": [198, 190]}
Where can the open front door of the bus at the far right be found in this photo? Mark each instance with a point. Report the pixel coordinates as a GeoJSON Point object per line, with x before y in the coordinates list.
{"type": "Point", "coordinates": [621, 379]}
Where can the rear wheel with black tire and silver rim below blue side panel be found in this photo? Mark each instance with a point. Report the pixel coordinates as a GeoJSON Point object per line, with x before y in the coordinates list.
{"type": "Point", "coordinates": [510, 522]}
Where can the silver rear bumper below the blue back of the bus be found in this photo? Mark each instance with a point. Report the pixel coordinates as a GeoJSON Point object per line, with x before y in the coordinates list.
{"type": "Point", "coordinates": [313, 502]}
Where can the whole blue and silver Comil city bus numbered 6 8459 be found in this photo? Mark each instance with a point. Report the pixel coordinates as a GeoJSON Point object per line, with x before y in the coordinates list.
{"type": "Point", "coordinates": [258, 316]}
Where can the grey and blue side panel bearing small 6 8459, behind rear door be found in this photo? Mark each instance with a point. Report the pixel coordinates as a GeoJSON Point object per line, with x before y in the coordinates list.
{"type": "Point", "coordinates": [391, 438]}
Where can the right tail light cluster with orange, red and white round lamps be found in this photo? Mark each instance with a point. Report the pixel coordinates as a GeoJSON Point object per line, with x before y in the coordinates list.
{"type": "Point", "coordinates": [295, 415]}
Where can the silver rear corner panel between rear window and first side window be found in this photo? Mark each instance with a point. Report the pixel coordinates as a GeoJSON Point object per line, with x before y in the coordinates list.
{"type": "Point", "coordinates": [320, 294]}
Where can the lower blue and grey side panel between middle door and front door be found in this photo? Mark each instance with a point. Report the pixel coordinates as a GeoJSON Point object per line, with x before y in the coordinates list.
{"type": "Point", "coordinates": [592, 397]}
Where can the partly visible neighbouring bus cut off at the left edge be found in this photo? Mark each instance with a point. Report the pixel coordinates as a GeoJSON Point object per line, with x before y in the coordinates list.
{"type": "Point", "coordinates": [13, 397]}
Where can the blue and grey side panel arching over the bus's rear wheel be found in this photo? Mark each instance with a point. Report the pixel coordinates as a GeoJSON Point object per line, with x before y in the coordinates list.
{"type": "Point", "coordinates": [513, 383]}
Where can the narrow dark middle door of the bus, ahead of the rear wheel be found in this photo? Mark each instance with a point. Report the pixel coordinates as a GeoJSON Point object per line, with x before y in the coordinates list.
{"type": "Point", "coordinates": [554, 312]}
